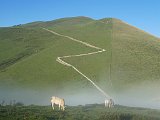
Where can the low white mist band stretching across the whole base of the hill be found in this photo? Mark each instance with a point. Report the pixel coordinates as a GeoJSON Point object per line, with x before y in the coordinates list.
{"type": "Point", "coordinates": [142, 95]}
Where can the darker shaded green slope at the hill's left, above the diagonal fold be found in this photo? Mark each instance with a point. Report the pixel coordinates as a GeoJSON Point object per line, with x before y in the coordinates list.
{"type": "Point", "coordinates": [17, 43]}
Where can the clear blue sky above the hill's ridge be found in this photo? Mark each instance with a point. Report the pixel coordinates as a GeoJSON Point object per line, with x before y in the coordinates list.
{"type": "Point", "coordinates": [143, 14]}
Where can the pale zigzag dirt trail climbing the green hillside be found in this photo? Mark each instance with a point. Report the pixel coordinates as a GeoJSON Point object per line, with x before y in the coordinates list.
{"type": "Point", "coordinates": [59, 59]}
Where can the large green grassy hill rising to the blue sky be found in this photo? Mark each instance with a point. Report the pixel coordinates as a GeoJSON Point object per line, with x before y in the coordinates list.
{"type": "Point", "coordinates": [28, 60]}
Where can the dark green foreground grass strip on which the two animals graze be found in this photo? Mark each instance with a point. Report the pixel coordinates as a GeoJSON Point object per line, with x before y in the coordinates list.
{"type": "Point", "coordinates": [88, 112]}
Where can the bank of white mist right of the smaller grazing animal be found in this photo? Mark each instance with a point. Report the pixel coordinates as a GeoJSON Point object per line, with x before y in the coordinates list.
{"type": "Point", "coordinates": [145, 94]}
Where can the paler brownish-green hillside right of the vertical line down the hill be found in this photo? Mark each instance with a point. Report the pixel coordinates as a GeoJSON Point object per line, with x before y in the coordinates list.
{"type": "Point", "coordinates": [135, 55]}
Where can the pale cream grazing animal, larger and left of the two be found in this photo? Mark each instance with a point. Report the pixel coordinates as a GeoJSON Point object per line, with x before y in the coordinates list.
{"type": "Point", "coordinates": [58, 101]}
